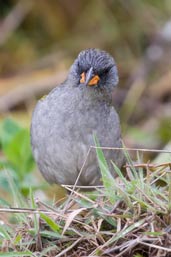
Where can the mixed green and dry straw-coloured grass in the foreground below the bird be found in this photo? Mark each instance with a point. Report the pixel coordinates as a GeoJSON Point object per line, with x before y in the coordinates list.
{"type": "Point", "coordinates": [130, 216]}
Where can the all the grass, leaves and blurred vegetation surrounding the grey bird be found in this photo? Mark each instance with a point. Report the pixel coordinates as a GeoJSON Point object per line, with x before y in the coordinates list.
{"type": "Point", "coordinates": [129, 215]}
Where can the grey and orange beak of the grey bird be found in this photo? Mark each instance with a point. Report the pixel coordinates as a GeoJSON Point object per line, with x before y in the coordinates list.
{"type": "Point", "coordinates": [88, 78]}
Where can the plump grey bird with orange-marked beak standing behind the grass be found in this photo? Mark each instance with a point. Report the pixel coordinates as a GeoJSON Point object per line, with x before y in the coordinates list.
{"type": "Point", "coordinates": [64, 122]}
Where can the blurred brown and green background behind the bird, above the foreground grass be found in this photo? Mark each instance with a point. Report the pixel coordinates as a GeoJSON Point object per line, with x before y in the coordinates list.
{"type": "Point", "coordinates": [39, 39]}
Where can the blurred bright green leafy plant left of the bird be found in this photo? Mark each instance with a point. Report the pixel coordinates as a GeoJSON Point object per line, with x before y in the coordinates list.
{"type": "Point", "coordinates": [18, 160]}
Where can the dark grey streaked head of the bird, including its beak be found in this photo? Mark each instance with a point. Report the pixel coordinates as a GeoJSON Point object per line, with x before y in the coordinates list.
{"type": "Point", "coordinates": [94, 68]}
